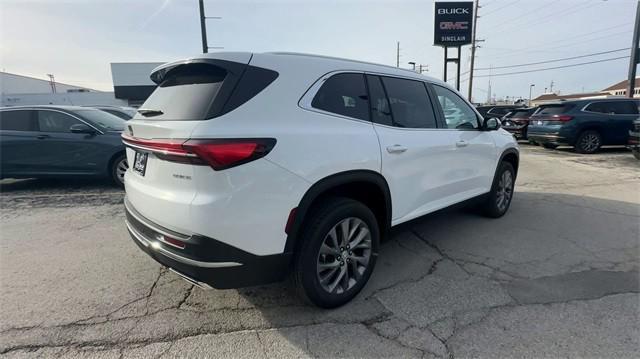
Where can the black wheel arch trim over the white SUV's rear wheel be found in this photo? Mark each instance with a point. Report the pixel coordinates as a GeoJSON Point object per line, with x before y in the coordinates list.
{"type": "Point", "coordinates": [366, 186]}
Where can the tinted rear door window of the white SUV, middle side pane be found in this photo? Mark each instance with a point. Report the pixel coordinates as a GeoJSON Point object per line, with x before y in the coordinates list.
{"type": "Point", "coordinates": [410, 104]}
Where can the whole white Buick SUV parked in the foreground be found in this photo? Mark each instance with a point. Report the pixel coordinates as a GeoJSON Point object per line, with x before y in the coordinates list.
{"type": "Point", "coordinates": [246, 167]}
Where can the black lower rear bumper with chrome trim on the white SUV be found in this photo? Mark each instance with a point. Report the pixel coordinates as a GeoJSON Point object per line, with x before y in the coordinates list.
{"type": "Point", "coordinates": [204, 261]}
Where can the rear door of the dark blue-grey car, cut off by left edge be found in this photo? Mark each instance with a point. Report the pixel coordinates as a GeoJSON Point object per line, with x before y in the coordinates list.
{"type": "Point", "coordinates": [18, 143]}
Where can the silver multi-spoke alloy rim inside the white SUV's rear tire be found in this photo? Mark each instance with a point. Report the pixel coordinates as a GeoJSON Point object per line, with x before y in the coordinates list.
{"type": "Point", "coordinates": [344, 255]}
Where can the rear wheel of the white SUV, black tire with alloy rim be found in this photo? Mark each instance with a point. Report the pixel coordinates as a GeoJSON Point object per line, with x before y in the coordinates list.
{"type": "Point", "coordinates": [329, 214]}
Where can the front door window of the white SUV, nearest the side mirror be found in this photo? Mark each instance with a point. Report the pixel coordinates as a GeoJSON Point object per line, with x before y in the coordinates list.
{"type": "Point", "coordinates": [457, 114]}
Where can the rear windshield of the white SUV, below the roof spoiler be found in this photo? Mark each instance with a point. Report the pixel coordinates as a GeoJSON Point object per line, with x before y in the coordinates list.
{"type": "Point", "coordinates": [186, 93]}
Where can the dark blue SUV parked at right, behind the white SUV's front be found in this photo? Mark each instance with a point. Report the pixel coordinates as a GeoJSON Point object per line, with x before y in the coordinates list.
{"type": "Point", "coordinates": [584, 124]}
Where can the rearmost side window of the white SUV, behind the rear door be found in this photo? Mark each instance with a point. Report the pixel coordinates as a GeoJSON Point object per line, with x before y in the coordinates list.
{"type": "Point", "coordinates": [343, 94]}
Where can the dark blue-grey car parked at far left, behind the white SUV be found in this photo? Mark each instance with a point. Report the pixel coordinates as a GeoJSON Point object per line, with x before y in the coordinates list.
{"type": "Point", "coordinates": [61, 141]}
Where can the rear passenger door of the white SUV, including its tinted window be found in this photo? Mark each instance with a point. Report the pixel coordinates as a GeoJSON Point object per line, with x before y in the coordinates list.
{"type": "Point", "coordinates": [416, 157]}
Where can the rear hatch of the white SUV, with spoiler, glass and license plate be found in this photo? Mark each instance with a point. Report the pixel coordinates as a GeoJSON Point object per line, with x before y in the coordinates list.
{"type": "Point", "coordinates": [164, 160]}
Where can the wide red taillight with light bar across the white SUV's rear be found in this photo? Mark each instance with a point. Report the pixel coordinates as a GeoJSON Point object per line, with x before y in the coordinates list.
{"type": "Point", "coordinates": [220, 154]}
